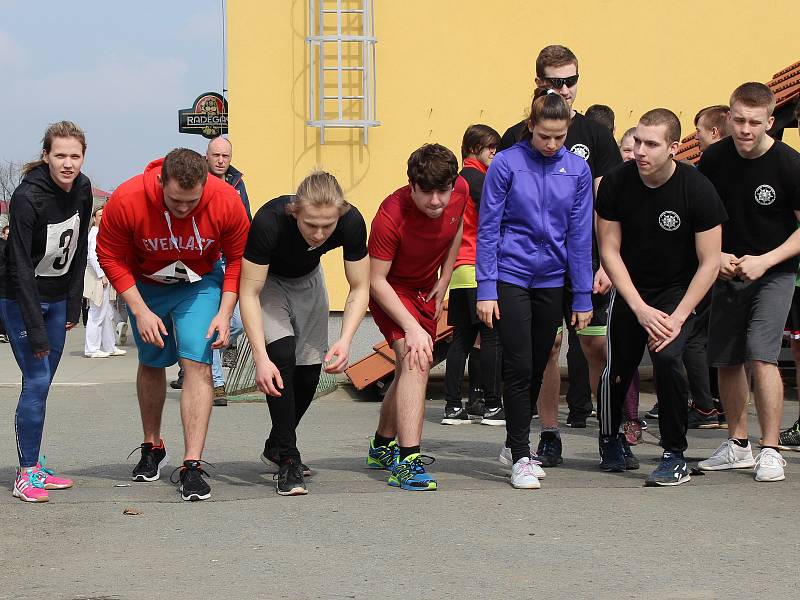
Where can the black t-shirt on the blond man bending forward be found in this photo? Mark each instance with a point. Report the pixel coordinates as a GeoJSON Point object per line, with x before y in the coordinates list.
{"type": "Point", "coordinates": [276, 241]}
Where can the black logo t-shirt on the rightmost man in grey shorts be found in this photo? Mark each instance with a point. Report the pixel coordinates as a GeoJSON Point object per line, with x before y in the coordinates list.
{"type": "Point", "coordinates": [760, 195]}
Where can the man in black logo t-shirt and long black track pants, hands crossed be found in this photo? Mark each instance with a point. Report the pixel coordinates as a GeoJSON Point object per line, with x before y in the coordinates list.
{"type": "Point", "coordinates": [659, 232]}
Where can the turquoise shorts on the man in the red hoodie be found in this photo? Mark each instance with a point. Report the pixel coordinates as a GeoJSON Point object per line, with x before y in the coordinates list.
{"type": "Point", "coordinates": [187, 310]}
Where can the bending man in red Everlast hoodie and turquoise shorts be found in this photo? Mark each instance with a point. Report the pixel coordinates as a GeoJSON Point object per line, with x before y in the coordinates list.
{"type": "Point", "coordinates": [160, 245]}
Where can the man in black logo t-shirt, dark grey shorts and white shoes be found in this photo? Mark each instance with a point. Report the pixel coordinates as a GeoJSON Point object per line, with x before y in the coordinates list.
{"type": "Point", "coordinates": [758, 179]}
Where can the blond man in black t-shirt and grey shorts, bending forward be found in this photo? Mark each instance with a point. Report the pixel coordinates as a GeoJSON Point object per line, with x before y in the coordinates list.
{"type": "Point", "coordinates": [284, 307]}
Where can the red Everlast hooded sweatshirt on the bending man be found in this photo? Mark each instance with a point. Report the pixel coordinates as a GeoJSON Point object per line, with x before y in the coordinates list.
{"type": "Point", "coordinates": [140, 240]}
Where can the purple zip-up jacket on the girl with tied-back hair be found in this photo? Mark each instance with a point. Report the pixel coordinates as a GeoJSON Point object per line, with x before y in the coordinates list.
{"type": "Point", "coordinates": [536, 224]}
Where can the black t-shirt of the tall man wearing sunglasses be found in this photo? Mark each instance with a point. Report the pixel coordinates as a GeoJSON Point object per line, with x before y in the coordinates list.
{"type": "Point", "coordinates": [586, 138]}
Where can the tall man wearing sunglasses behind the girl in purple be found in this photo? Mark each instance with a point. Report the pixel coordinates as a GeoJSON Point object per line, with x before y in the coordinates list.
{"type": "Point", "coordinates": [557, 69]}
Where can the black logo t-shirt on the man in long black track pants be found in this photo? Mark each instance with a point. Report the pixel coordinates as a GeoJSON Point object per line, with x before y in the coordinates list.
{"type": "Point", "coordinates": [659, 224]}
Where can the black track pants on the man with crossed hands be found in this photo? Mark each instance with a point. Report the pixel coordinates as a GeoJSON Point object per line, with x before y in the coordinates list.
{"type": "Point", "coordinates": [627, 340]}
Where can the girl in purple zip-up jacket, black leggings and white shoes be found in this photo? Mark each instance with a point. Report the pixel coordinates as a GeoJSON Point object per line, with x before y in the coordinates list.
{"type": "Point", "coordinates": [535, 228]}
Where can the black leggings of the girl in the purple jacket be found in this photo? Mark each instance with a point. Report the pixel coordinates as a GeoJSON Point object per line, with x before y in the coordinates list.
{"type": "Point", "coordinates": [528, 322]}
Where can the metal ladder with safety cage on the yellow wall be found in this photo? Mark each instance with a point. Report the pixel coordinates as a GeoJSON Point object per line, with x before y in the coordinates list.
{"type": "Point", "coordinates": [341, 44]}
